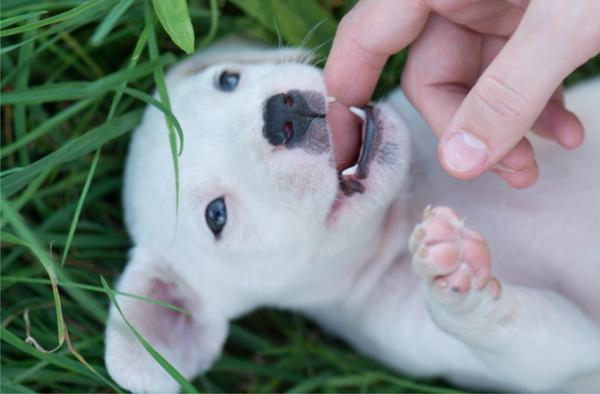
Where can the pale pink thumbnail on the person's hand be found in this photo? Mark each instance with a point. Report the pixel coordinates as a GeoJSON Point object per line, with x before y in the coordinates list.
{"type": "Point", "coordinates": [464, 152]}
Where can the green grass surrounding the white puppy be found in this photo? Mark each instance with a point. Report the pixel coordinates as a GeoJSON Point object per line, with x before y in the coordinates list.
{"type": "Point", "coordinates": [75, 78]}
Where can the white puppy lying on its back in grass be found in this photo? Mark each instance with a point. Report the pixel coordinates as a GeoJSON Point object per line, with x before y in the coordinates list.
{"type": "Point", "coordinates": [265, 220]}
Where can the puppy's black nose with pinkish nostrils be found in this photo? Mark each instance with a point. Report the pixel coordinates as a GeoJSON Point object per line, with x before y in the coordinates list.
{"type": "Point", "coordinates": [287, 117]}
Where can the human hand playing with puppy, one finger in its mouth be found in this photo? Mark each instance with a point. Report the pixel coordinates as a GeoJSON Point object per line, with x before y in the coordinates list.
{"type": "Point", "coordinates": [481, 72]}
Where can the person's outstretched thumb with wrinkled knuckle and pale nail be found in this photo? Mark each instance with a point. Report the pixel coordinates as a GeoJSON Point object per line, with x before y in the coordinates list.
{"type": "Point", "coordinates": [506, 100]}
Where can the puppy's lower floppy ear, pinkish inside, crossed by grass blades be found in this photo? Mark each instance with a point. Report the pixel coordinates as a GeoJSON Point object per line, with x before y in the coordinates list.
{"type": "Point", "coordinates": [189, 343]}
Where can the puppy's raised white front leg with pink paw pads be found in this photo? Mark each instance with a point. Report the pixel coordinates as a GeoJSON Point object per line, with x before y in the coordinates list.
{"type": "Point", "coordinates": [534, 339]}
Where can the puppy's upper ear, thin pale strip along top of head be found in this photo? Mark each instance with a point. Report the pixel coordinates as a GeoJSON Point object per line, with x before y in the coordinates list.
{"type": "Point", "coordinates": [236, 50]}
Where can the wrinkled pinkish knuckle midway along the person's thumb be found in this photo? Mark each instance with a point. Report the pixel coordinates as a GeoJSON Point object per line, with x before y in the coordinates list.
{"type": "Point", "coordinates": [502, 99]}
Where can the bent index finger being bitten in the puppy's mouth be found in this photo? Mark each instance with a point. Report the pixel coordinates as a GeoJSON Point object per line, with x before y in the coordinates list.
{"type": "Point", "coordinates": [366, 37]}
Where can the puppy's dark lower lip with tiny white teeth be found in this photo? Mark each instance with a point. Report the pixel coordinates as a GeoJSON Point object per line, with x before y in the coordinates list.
{"type": "Point", "coordinates": [350, 178]}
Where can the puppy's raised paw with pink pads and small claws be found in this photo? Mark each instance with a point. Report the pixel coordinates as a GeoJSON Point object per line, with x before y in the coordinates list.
{"type": "Point", "coordinates": [453, 260]}
